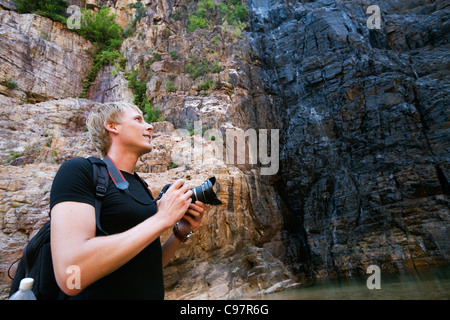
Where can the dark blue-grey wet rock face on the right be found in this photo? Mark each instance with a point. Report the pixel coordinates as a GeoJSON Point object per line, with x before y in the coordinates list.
{"type": "Point", "coordinates": [365, 158]}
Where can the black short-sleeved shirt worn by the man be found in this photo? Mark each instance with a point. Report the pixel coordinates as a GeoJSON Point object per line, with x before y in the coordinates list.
{"type": "Point", "coordinates": [141, 277]}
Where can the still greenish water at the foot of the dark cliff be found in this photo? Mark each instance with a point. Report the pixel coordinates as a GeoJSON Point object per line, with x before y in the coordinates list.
{"type": "Point", "coordinates": [425, 285]}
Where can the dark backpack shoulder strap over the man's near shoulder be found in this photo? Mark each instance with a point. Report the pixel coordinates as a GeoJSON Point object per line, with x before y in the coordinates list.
{"type": "Point", "coordinates": [101, 181]}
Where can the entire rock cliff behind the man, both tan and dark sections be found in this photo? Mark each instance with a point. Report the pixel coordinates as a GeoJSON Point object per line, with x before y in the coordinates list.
{"type": "Point", "coordinates": [363, 118]}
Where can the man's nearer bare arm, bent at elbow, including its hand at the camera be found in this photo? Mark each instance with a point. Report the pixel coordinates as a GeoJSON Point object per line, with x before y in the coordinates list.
{"type": "Point", "coordinates": [73, 240]}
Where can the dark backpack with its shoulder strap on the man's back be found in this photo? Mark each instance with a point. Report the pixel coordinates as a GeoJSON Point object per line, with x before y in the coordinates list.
{"type": "Point", "coordinates": [36, 261]}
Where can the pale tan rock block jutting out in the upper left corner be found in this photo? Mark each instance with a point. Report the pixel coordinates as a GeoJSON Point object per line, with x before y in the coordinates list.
{"type": "Point", "coordinates": [43, 58]}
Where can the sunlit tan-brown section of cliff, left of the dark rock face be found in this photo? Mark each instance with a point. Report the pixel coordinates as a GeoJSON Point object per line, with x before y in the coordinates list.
{"type": "Point", "coordinates": [237, 251]}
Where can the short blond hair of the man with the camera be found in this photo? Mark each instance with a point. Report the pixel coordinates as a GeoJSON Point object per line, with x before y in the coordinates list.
{"type": "Point", "coordinates": [103, 113]}
